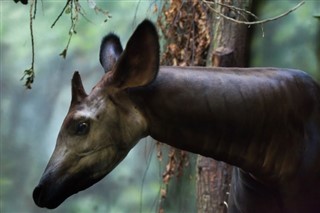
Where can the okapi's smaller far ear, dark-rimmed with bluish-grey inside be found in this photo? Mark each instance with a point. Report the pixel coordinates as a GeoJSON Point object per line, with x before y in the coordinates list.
{"type": "Point", "coordinates": [110, 51]}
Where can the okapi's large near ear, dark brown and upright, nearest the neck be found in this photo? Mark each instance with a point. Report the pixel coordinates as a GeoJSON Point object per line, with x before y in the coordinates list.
{"type": "Point", "coordinates": [139, 63]}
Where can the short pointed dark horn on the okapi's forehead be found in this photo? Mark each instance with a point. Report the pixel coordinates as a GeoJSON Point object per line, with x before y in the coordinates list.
{"type": "Point", "coordinates": [78, 92]}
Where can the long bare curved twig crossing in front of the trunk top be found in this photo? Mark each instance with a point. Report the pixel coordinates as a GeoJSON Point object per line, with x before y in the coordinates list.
{"type": "Point", "coordinates": [252, 22]}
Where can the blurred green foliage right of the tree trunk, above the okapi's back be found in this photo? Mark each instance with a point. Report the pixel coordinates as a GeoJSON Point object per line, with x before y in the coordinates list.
{"type": "Point", "coordinates": [292, 41]}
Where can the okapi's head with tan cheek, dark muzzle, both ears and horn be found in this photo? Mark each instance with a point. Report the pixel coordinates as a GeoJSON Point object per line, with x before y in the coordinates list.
{"type": "Point", "coordinates": [101, 128]}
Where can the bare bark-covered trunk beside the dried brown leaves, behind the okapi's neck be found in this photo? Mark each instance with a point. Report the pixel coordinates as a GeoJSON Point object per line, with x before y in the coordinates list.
{"type": "Point", "coordinates": [228, 48]}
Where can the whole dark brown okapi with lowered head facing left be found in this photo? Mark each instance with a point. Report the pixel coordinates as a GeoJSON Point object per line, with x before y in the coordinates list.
{"type": "Point", "coordinates": [264, 121]}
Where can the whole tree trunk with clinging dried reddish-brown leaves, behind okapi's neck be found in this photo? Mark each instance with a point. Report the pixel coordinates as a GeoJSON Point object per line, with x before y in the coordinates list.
{"type": "Point", "coordinates": [196, 35]}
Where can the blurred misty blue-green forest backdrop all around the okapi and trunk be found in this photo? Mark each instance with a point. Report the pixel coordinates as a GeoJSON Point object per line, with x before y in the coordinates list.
{"type": "Point", "coordinates": [153, 177]}
